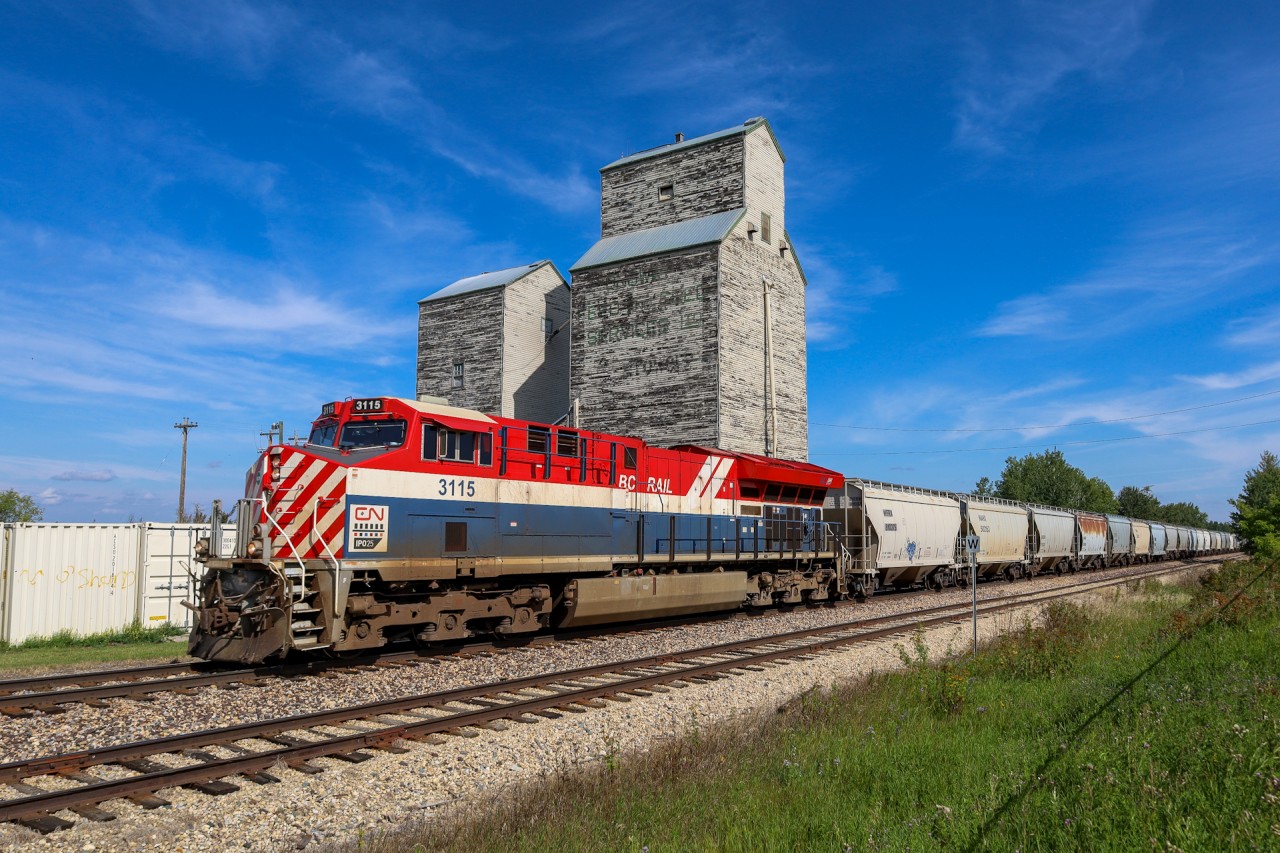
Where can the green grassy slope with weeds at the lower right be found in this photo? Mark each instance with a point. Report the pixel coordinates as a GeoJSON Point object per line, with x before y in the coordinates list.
{"type": "Point", "coordinates": [1154, 728]}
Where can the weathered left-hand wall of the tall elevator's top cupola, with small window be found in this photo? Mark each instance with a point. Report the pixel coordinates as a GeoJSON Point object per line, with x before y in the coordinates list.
{"type": "Point", "coordinates": [707, 180]}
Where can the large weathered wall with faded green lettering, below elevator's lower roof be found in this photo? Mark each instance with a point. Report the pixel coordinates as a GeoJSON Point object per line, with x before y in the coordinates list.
{"type": "Point", "coordinates": [644, 355]}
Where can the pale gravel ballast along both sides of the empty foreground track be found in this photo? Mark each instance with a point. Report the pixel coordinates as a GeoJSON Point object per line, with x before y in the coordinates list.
{"type": "Point", "coordinates": [390, 790]}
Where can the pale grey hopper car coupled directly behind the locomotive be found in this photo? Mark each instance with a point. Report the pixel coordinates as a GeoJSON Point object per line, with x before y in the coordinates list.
{"type": "Point", "coordinates": [907, 535]}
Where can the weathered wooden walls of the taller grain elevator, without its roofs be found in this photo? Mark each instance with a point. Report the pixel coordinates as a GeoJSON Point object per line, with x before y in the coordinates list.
{"type": "Point", "coordinates": [644, 363]}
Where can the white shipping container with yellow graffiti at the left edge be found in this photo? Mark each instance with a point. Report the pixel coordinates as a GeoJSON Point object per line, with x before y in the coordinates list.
{"type": "Point", "coordinates": [68, 577]}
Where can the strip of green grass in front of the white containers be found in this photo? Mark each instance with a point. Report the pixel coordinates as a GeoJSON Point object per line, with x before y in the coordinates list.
{"type": "Point", "coordinates": [66, 649]}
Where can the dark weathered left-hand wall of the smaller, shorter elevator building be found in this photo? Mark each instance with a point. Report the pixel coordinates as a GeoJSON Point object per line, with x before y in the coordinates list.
{"type": "Point", "coordinates": [465, 329]}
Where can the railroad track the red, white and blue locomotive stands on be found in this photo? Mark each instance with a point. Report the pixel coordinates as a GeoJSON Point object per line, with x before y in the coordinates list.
{"type": "Point", "coordinates": [51, 694]}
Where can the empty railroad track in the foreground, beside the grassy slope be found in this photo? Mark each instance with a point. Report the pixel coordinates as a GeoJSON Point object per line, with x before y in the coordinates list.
{"type": "Point", "coordinates": [254, 750]}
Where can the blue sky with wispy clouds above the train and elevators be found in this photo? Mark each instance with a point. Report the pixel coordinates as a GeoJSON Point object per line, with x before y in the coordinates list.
{"type": "Point", "coordinates": [1014, 216]}
